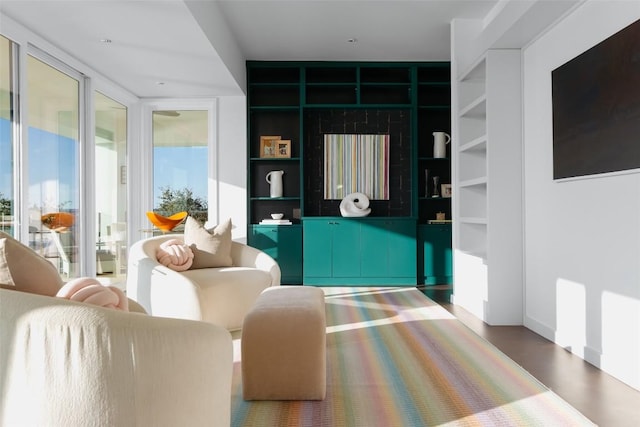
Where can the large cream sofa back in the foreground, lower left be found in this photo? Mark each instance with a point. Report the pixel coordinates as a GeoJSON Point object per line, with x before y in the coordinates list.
{"type": "Point", "coordinates": [64, 363]}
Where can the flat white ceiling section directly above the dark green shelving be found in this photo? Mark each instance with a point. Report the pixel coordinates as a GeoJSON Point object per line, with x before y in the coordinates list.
{"type": "Point", "coordinates": [309, 30]}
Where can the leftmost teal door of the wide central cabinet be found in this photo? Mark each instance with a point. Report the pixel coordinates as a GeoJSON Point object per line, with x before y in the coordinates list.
{"type": "Point", "coordinates": [317, 248]}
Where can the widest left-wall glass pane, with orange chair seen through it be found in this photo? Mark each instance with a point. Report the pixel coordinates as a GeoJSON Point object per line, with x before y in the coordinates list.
{"type": "Point", "coordinates": [53, 164]}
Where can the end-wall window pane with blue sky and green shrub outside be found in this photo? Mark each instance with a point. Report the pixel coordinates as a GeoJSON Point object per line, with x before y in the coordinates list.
{"type": "Point", "coordinates": [180, 162]}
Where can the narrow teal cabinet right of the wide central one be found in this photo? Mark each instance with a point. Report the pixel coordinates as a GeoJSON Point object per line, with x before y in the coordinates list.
{"type": "Point", "coordinates": [434, 242]}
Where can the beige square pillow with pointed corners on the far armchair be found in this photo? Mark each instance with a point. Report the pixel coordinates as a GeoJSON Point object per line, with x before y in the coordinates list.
{"type": "Point", "coordinates": [211, 247]}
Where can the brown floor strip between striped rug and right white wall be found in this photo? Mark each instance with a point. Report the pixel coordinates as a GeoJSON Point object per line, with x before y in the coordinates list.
{"type": "Point", "coordinates": [602, 398]}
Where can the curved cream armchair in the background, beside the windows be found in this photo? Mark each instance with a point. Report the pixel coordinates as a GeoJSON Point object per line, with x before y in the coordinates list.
{"type": "Point", "coordinates": [222, 295]}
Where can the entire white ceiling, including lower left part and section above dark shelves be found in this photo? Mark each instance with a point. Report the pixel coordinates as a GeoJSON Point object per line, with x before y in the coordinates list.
{"type": "Point", "coordinates": [196, 47]}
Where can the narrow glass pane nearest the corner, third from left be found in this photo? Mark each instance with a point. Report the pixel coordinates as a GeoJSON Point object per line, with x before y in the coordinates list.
{"type": "Point", "coordinates": [111, 188]}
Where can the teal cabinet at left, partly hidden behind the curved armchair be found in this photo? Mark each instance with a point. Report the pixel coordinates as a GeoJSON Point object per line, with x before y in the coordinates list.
{"type": "Point", "coordinates": [284, 244]}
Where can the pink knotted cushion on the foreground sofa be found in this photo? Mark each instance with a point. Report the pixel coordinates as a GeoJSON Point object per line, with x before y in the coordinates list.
{"type": "Point", "coordinates": [90, 291]}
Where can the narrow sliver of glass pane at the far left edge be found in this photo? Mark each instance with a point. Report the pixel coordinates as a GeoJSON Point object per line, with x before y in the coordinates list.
{"type": "Point", "coordinates": [7, 223]}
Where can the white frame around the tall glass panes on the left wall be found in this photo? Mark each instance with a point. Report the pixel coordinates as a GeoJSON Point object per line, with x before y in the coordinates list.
{"type": "Point", "coordinates": [25, 43]}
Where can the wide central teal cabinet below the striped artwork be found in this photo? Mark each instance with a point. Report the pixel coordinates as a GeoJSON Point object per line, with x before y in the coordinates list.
{"type": "Point", "coordinates": [359, 251]}
